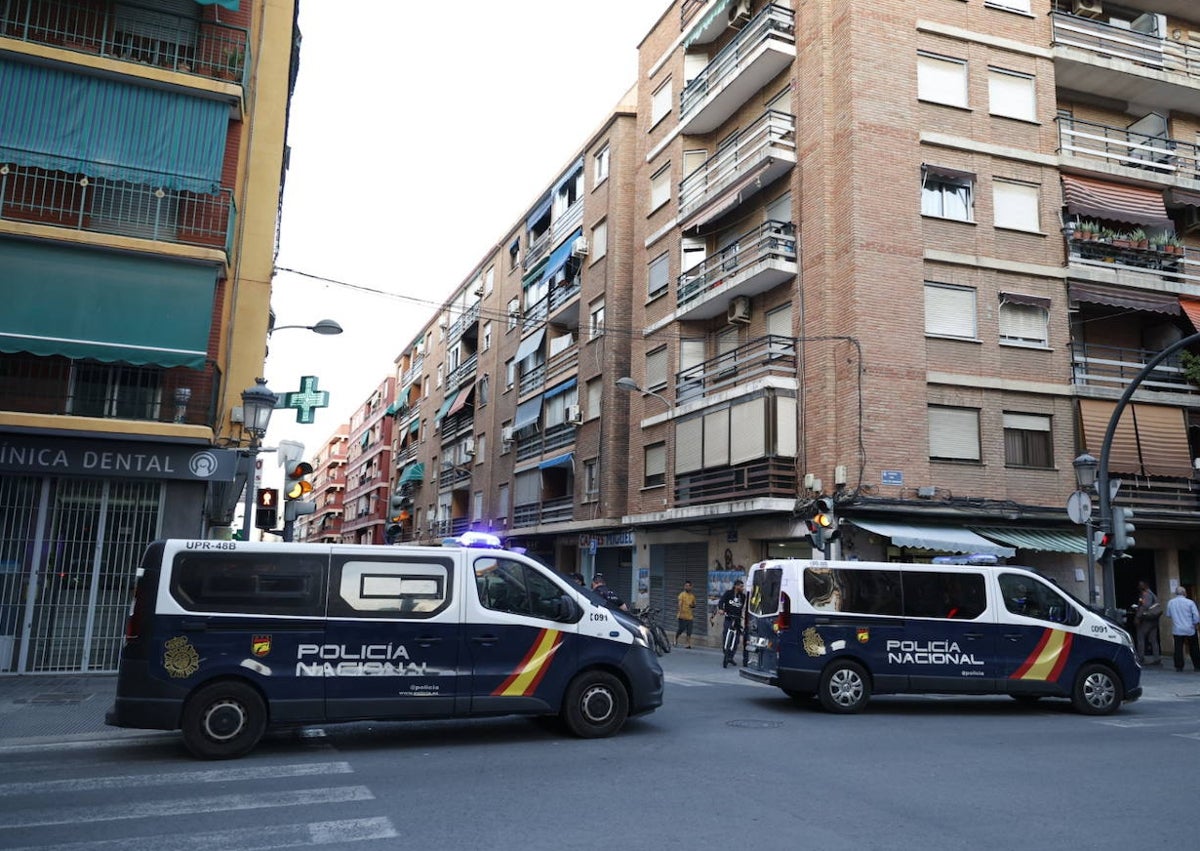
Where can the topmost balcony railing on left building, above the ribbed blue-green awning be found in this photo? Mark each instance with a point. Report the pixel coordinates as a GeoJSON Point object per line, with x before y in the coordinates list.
{"type": "Point", "coordinates": [133, 33]}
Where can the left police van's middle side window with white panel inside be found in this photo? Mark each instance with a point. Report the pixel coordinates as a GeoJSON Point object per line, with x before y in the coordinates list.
{"type": "Point", "coordinates": [391, 590]}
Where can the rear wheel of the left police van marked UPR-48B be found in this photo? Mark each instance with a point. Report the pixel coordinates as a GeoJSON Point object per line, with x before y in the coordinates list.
{"type": "Point", "coordinates": [224, 721]}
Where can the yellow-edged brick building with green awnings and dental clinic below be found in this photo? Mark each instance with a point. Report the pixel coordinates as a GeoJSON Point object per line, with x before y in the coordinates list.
{"type": "Point", "coordinates": [141, 161]}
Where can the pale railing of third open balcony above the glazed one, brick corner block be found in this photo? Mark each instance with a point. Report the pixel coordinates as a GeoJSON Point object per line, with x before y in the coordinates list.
{"type": "Point", "coordinates": [770, 141]}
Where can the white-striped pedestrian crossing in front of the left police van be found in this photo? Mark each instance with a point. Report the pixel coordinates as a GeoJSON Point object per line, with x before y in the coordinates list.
{"type": "Point", "coordinates": [73, 800]}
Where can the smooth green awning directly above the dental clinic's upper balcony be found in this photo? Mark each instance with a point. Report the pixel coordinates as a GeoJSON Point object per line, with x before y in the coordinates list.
{"type": "Point", "coordinates": [86, 304]}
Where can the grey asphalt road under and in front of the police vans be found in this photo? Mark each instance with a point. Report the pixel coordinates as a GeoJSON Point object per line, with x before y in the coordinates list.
{"type": "Point", "coordinates": [725, 764]}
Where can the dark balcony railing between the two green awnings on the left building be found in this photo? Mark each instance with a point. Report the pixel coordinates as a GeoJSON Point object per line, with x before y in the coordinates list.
{"type": "Point", "coordinates": [145, 211]}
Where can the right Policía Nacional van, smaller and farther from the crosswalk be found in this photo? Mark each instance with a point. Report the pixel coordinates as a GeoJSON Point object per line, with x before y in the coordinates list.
{"type": "Point", "coordinates": [842, 632]}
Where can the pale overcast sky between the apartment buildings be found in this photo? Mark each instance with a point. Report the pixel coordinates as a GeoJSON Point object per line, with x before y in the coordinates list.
{"type": "Point", "coordinates": [419, 133]}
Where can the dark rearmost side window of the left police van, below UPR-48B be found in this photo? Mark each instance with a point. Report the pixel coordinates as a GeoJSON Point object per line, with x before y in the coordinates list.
{"type": "Point", "coordinates": [248, 584]}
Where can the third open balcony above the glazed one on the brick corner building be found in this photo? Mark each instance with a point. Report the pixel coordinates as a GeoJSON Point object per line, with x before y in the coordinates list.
{"type": "Point", "coordinates": [752, 161]}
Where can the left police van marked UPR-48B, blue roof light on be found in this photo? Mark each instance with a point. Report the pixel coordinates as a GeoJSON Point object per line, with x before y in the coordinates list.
{"type": "Point", "coordinates": [226, 639]}
